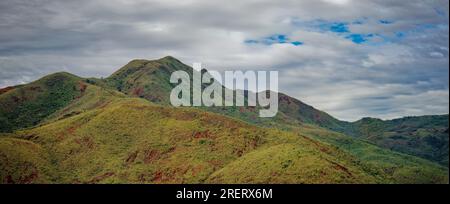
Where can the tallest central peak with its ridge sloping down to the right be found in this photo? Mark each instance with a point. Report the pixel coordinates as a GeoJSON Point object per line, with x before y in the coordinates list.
{"type": "Point", "coordinates": [149, 79]}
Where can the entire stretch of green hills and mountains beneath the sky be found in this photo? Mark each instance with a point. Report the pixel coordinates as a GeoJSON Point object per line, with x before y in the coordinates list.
{"type": "Point", "coordinates": [121, 129]}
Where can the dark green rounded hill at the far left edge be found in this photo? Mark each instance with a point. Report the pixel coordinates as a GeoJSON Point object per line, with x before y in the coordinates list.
{"type": "Point", "coordinates": [27, 105]}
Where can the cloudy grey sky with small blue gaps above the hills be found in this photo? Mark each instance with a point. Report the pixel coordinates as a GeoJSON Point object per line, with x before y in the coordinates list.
{"type": "Point", "coordinates": [350, 58]}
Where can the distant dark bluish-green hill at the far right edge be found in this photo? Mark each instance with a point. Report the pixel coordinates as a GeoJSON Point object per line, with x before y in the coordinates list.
{"type": "Point", "coordinates": [424, 136]}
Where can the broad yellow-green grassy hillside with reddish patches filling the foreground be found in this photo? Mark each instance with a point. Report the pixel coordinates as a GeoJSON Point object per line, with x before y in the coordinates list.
{"type": "Point", "coordinates": [367, 163]}
